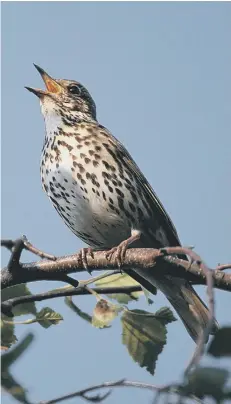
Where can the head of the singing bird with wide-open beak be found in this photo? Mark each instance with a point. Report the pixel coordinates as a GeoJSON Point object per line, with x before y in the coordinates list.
{"type": "Point", "coordinates": [67, 99]}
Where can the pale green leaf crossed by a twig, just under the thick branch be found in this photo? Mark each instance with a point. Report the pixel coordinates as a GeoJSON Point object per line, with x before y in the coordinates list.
{"type": "Point", "coordinates": [119, 280]}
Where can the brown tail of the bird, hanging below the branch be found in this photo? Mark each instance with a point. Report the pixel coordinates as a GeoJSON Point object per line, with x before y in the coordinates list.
{"type": "Point", "coordinates": [188, 305]}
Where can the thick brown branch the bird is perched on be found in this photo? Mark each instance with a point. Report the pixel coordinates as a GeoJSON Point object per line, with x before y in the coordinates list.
{"type": "Point", "coordinates": [58, 269]}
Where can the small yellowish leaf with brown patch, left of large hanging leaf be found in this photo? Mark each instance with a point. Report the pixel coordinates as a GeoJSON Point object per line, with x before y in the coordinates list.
{"type": "Point", "coordinates": [104, 313]}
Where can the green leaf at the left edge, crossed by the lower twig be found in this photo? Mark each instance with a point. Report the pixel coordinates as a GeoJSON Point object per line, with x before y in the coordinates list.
{"type": "Point", "coordinates": [18, 291]}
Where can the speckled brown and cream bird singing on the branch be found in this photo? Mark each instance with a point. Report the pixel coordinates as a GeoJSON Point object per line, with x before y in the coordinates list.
{"type": "Point", "coordinates": [102, 195]}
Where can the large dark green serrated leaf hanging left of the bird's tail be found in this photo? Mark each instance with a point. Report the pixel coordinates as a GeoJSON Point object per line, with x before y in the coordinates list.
{"type": "Point", "coordinates": [144, 335]}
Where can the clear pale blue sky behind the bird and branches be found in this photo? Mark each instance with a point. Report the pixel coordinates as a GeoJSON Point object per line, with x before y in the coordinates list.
{"type": "Point", "coordinates": [160, 76]}
